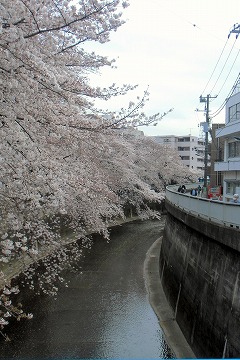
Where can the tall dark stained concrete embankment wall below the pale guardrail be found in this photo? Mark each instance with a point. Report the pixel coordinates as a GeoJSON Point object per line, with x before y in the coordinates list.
{"type": "Point", "coordinates": [200, 273]}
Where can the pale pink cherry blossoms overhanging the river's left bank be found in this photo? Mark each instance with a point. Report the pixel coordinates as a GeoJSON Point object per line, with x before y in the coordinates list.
{"type": "Point", "coordinates": [67, 168]}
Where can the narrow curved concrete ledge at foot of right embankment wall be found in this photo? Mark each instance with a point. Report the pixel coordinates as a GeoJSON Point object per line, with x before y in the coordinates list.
{"type": "Point", "coordinates": [172, 332]}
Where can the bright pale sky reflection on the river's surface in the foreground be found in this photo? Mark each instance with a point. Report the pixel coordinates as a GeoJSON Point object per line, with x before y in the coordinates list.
{"type": "Point", "coordinates": [133, 331]}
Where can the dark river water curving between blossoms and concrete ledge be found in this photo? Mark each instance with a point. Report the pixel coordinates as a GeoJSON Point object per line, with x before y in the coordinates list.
{"type": "Point", "coordinates": [104, 313]}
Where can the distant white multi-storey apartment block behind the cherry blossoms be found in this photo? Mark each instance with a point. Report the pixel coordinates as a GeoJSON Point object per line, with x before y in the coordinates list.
{"type": "Point", "coordinates": [190, 148]}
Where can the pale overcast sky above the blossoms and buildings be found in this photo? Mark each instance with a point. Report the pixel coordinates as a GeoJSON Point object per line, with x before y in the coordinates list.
{"type": "Point", "coordinates": [181, 50]}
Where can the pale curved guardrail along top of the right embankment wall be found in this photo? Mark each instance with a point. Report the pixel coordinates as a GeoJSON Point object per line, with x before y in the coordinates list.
{"type": "Point", "coordinates": [219, 212]}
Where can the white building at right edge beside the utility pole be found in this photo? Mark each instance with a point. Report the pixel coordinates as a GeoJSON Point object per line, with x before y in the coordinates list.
{"type": "Point", "coordinates": [230, 167]}
